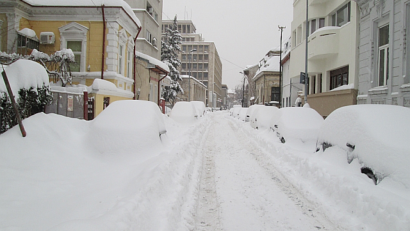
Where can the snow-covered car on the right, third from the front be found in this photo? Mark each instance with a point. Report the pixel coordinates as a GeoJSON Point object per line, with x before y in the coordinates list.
{"type": "Point", "coordinates": [262, 117]}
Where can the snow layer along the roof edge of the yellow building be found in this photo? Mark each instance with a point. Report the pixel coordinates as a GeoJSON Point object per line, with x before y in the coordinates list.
{"type": "Point", "coordinates": [97, 3]}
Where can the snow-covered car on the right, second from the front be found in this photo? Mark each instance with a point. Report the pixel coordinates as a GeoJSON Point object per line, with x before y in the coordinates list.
{"type": "Point", "coordinates": [299, 124]}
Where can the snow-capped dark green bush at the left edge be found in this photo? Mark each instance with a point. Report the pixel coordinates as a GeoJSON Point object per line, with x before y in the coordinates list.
{"type": "Point", "coordinates": [29, 84]}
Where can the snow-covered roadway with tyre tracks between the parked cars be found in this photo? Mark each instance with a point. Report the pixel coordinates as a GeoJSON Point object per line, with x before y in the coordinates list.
{"type": "Point", "coordinates": [240, 191]}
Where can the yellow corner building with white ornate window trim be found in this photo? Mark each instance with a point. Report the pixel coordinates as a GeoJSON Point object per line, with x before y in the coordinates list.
{"type": "Point", "coordinates": [102, 38]}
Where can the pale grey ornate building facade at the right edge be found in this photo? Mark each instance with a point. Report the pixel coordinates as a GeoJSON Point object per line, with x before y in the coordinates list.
{"type": "Point", "coordinates": [384, 57]}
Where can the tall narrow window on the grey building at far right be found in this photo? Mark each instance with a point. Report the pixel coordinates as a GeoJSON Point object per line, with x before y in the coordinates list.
{"type": "Point", "coordinates": [383, 55]}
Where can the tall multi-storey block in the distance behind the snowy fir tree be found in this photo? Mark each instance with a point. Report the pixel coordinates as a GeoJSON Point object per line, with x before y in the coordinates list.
{"type": "Point", "coordinates": [200, 59]}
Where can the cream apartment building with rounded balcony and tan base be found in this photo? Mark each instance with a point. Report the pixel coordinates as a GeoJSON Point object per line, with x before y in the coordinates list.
{"type": "Point", "coordinates": [333, 26]}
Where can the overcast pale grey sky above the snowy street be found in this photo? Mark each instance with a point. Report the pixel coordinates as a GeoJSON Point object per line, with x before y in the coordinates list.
{"type": "Point", "coordinates": [243, 30]}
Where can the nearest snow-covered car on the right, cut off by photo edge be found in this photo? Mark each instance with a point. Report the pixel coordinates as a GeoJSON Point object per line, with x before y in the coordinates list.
{"type": "Point", "coordinates": [377, 136]}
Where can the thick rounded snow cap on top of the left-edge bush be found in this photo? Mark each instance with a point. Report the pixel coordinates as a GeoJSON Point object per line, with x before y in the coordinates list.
{"type": "Point", "coordinates": [24, 74]}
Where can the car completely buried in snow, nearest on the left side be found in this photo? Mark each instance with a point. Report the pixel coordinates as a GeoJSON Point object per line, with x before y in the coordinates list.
{"type": "Point", "coordinates": [127, 125]}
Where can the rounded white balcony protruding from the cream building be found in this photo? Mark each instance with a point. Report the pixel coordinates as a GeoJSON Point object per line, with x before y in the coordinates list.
{"type": "Point", "coordinates": [324, 43]}
